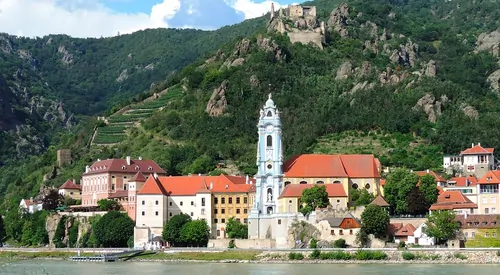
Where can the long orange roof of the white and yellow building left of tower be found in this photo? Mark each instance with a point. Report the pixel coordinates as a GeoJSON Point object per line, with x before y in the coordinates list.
{"type": "Point", "coordinates": [192, 185]}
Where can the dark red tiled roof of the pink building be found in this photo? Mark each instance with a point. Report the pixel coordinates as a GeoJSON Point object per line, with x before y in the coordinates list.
{"type": "Point", "coordinates": [121, 166]}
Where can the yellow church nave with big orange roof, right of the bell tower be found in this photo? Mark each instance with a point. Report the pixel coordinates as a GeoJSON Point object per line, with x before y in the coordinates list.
{"type": "Point", "coordinates": [349, 171]}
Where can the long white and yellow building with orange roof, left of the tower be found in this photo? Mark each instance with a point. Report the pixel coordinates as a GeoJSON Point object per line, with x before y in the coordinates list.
{"type": "Point", "coordinates": [213, 198]}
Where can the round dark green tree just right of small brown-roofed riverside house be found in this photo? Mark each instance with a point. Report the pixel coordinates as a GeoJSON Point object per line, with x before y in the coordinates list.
{"type": "Point", "coordinates": [374, 220]}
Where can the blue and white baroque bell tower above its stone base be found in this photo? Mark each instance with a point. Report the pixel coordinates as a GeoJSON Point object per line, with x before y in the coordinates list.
{"type": "Point", "coordinates": [269, 178]}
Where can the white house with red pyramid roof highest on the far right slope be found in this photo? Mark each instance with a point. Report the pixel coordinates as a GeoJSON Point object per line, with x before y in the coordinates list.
{"type": "Point", "coordinates": [476, 160]}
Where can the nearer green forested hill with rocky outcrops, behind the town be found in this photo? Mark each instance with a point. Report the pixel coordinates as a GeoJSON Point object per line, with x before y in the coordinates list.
{"type": "Point", "coordinates": [406, 80]}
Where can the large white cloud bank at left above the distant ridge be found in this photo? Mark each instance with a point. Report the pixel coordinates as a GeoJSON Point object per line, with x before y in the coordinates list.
{"type": "Point", "coordinates": [79, 18]}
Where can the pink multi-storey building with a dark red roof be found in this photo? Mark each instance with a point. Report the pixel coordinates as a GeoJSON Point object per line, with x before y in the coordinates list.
{"type": "Point", "coordinates": [109, 179]}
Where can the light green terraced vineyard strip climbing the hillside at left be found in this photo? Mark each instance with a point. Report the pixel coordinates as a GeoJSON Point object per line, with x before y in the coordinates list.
{"type": "Point", "coordinates": [117, 124]}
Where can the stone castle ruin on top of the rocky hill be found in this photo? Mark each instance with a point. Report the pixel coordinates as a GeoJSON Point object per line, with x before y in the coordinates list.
{"type": "Point", "coordinates": [299, 23]}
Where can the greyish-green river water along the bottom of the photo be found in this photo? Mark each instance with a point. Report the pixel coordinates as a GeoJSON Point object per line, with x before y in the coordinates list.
{"type": "Point", "coordinates": [136, 268]}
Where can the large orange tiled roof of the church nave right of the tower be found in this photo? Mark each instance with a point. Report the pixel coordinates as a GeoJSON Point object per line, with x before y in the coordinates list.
{"type": "Point", "coordinates": [331, 166]}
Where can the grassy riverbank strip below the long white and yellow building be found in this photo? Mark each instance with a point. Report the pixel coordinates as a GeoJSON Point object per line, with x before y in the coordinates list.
{"type": "Point", "coordinates": [203, 256]}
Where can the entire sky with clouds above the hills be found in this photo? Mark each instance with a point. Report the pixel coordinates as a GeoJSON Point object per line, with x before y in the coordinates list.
{"type": "Point", "coordinates": [96, 18]}
